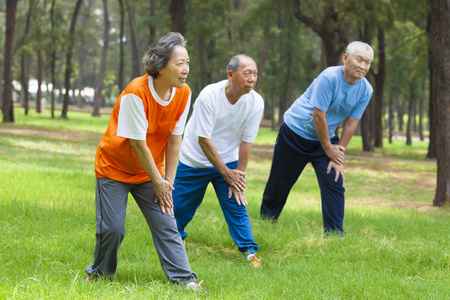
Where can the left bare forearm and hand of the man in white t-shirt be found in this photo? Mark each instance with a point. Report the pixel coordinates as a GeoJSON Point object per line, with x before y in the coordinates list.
{"type": "Point", "coordinates": [234, 177]}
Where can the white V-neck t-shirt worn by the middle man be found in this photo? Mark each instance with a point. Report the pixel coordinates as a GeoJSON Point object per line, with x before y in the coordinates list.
{"type": "Point", "coordinates": [225, 124]}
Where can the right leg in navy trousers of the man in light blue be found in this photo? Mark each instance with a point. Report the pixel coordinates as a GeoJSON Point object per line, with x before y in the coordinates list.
{"type": "Point", "coordinates": [332, 194]}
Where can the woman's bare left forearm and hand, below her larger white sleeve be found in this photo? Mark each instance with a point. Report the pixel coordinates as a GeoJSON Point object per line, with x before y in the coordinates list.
{"type": "Point", "coordinates": [163, 188]}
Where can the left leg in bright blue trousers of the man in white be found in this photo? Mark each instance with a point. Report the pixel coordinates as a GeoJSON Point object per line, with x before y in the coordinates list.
{"type": "Point", "coordinates": [190, 186]}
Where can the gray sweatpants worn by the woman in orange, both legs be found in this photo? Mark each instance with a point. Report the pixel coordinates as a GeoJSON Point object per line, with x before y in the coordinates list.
{"type": "Point", "coordinates": [110, 207]}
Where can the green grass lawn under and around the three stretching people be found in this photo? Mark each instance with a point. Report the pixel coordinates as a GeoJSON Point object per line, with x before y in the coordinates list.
{"type": "Point", "coordinates": [396, 245]}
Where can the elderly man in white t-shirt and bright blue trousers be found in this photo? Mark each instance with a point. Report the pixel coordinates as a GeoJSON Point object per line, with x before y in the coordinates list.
{"type": "Point", "coordinates": [216, 148]}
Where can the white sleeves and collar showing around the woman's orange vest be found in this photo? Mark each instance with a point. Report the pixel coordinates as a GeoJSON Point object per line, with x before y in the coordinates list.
{"type": "Point", "coordinates": [132, 122]}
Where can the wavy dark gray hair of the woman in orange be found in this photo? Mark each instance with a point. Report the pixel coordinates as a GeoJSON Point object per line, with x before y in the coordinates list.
{"type": "Point", "coordinates": [159, 54]}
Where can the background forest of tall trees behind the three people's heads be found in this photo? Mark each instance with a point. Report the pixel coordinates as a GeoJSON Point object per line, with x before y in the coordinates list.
{"type": "Point", "coordinates": [93, 48]}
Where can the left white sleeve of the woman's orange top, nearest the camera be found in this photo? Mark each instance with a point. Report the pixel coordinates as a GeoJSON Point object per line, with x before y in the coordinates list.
{"type": "Point", "coordinates": [132, 123]}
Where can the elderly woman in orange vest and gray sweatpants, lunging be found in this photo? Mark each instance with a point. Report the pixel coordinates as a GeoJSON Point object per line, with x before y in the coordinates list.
{"type": "Point", "coordinates": [138, 154]}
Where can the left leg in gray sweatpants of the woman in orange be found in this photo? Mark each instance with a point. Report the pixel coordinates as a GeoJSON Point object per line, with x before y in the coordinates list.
{"type": "Point", "coordinates": [110, 208]}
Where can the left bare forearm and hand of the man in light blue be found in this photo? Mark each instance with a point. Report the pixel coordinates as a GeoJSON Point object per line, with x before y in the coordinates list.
{"type": "Point", "coordinates": [334, 152]}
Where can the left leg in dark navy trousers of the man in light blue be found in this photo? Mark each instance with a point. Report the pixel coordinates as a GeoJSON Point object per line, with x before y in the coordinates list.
{"type": "Point", "coordinates": [287, 165]}
